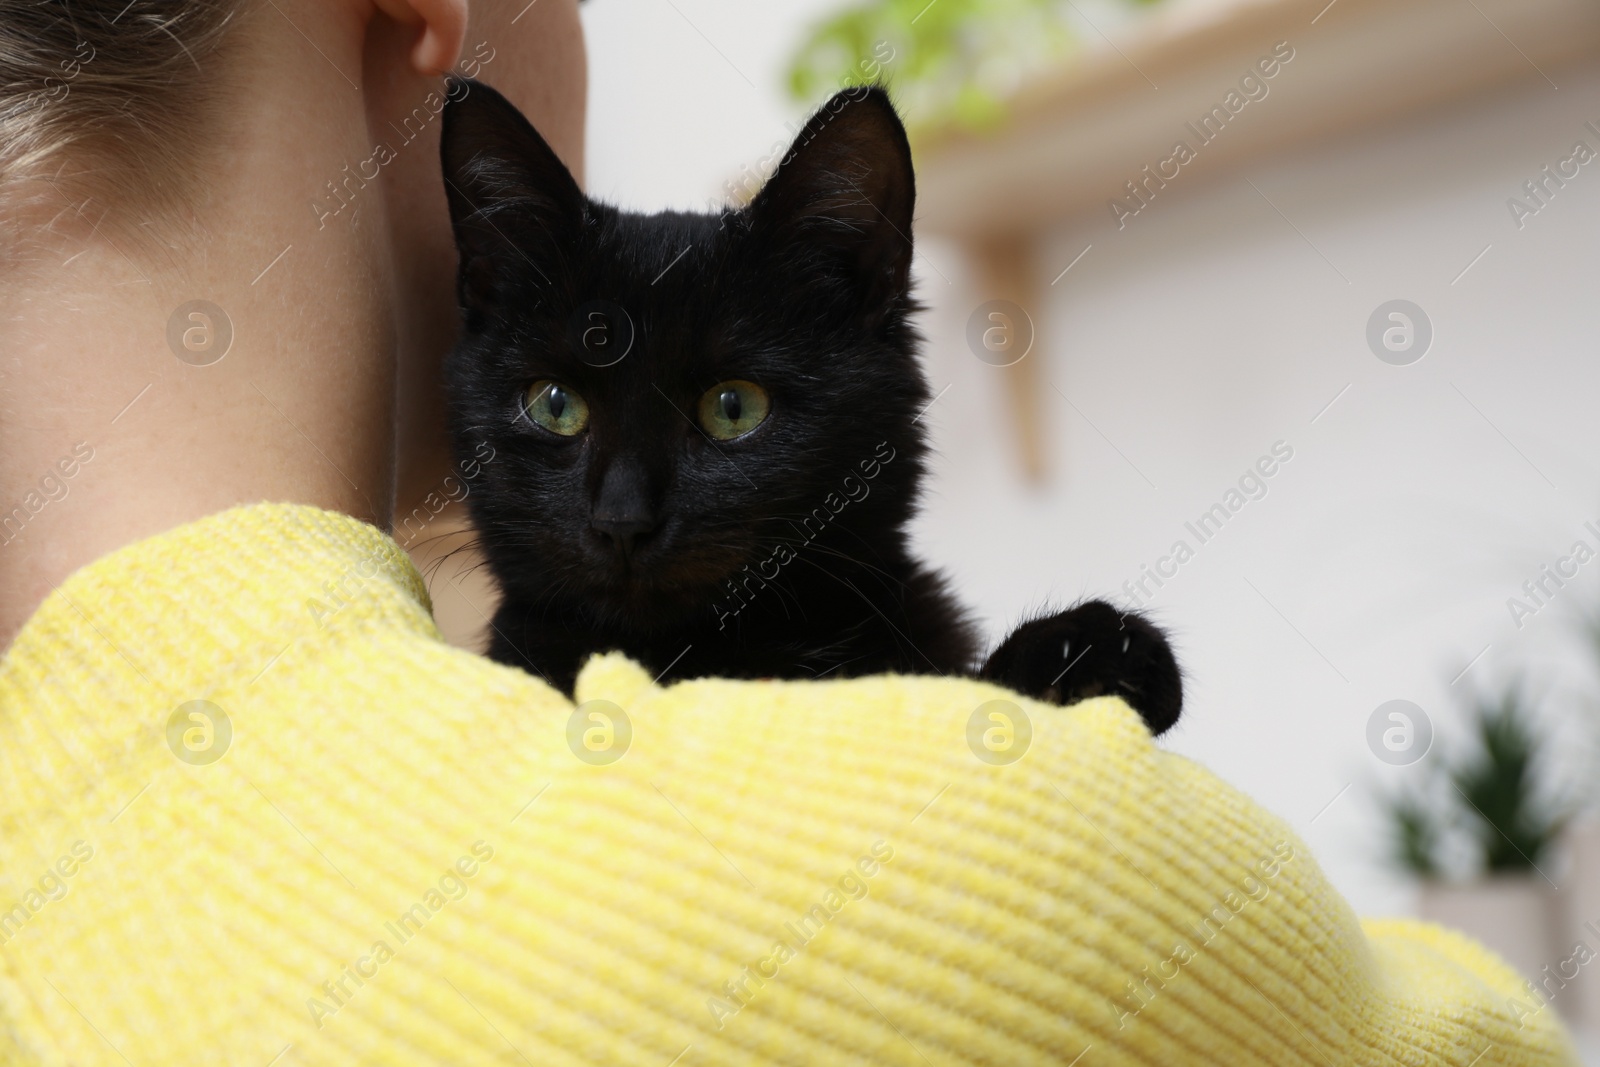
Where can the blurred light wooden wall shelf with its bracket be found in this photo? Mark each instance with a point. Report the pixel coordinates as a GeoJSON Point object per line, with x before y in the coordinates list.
{"type": "Point", "coordinates": [1074, 140]}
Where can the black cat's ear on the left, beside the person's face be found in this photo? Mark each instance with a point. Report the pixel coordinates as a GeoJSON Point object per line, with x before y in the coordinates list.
{"type": "Point", "coordinates": [513, 202]}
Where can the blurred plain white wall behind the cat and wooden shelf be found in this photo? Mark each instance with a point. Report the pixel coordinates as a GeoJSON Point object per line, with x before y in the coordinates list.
{"type": "Point", "coordinates": [1212, 327]}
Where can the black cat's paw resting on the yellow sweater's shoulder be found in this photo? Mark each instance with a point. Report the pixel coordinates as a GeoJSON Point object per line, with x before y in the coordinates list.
{"type": "Point", "coordinates": [1094, 650]}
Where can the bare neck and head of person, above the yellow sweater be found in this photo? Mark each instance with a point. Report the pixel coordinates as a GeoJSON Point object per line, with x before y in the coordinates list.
{"type": "Point", "coordinates": [226, 188]}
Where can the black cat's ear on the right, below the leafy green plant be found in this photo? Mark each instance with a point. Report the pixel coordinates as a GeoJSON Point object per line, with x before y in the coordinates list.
{"type": "Point", "coordinates": [847, 191]}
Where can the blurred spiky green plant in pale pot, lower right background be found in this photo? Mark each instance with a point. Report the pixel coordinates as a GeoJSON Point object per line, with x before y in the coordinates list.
{"type": "Point", "coordinates": [1479, 836]}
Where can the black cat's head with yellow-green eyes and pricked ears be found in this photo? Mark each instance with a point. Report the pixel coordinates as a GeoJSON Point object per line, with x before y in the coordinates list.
{"type": "Point", "coordinates": [668, 398]}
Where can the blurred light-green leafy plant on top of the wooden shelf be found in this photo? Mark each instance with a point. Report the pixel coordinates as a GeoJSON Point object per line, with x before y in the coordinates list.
{"type": "Point", "coordinates": [950, 60]}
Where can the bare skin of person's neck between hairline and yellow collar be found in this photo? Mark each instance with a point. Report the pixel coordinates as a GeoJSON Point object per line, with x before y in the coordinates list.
{"type": "Point", "coordinates": [302, 406]}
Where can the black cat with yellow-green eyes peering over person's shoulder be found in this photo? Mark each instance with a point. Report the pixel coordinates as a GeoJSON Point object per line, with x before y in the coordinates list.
{"type": "Point", "coordinates": [706, 426]}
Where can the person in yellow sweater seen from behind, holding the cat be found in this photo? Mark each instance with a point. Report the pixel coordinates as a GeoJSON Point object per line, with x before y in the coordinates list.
{"type": "Point", "coordinates": [257, 812]}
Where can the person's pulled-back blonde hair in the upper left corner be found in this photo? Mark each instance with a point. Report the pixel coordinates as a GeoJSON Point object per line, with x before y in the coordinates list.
{"type": "Point", "coordinates": [106, 95]}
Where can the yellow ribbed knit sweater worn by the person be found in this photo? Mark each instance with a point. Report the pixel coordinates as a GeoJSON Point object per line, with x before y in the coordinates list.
{"type": "Point", "coordinates": [255, 812]}
